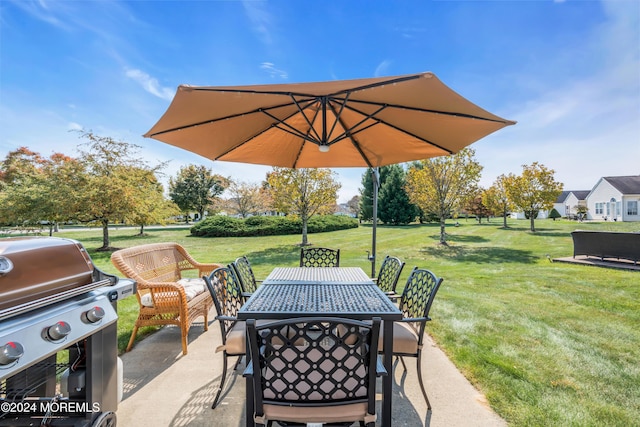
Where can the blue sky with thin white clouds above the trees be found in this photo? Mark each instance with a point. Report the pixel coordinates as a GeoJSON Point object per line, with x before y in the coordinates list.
{"type": "Point", "coordinates": [567, 71]}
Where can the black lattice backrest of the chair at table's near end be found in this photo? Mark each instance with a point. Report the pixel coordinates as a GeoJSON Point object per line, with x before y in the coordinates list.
{"type": "Point", "coordinates": [314, 362]}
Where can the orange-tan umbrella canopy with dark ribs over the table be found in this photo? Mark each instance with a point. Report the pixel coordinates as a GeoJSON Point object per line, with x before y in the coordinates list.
{"type": "Point", "coordinates": [349, 123]}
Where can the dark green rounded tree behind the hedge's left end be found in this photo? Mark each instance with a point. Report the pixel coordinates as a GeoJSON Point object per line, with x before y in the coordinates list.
{"type": "Point", "coordinates": [195, 189]}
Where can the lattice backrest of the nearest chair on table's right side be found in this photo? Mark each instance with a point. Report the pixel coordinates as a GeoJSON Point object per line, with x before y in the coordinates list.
{"type": "Point", "coordinates": [417, 297]}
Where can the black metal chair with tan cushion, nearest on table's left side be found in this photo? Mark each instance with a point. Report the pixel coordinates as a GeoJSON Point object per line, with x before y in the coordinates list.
{"type": "Point", "coordinates": [227, 298]}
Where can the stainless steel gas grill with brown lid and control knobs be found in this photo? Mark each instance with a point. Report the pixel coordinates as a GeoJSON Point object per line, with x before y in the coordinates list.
{"type": "Point", "coordinates": [58, 335]}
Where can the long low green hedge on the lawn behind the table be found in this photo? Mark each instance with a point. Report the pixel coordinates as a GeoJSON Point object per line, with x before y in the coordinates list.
{"type": "Point", "coordinates": [224, 226]}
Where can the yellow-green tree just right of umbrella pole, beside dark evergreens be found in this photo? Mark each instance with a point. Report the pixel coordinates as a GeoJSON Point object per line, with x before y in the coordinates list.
{"type": "Point", "coordinates": [440, 185]}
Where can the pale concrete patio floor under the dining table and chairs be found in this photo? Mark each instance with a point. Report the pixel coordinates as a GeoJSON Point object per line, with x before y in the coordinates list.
{"type": "Point", "coordinates": [164, 388]}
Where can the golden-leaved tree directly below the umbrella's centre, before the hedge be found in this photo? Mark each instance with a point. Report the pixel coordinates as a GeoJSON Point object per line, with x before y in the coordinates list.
{"type": "Point", "coordinates": [303, 192]}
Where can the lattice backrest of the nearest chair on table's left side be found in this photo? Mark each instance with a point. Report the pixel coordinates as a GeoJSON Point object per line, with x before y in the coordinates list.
{"type": "Point", "coordinates": [226, 293]}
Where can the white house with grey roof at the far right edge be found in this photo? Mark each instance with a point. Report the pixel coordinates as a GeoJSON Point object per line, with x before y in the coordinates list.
{"type": "Point", "coordinates": [615, 198]}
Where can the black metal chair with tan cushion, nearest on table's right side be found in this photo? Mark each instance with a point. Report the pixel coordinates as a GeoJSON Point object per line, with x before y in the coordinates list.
{"type": "Point", "coordinates": [415, 304]}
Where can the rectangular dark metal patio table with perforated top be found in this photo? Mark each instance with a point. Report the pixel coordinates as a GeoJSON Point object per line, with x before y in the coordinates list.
{"type": "Point", "coordinates": [290, 292]}
